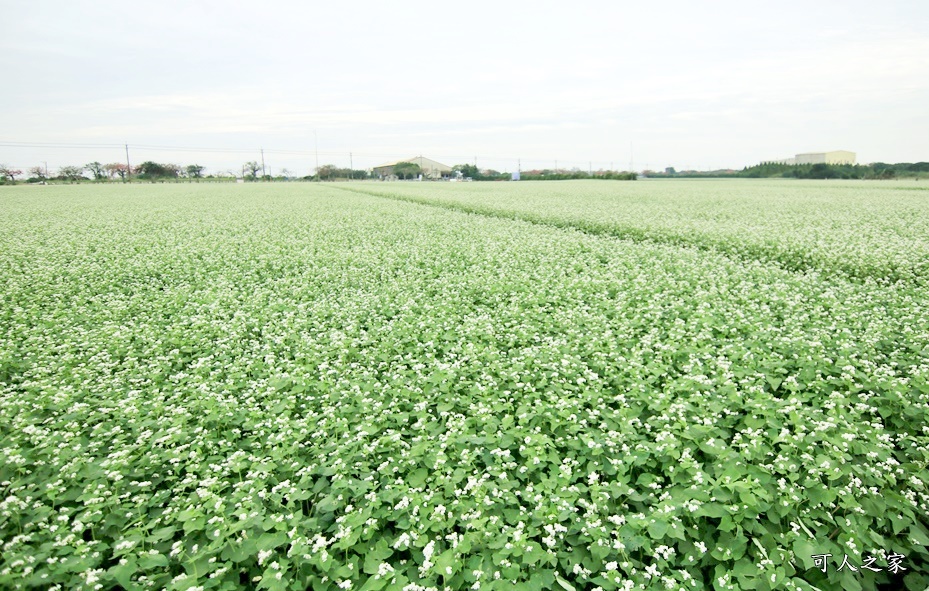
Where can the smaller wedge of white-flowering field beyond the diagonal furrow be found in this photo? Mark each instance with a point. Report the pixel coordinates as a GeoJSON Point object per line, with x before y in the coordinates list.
{"type": "Point", "coordinates": [862, 230]}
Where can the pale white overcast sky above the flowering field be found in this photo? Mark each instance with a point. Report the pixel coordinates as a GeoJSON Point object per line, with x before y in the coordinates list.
{"type": "Point", "coordinates": [676, 83]}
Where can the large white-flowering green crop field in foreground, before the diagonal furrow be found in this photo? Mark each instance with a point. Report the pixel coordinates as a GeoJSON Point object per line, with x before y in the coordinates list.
{"type": "Point", "coordinates": [293, 387]}
